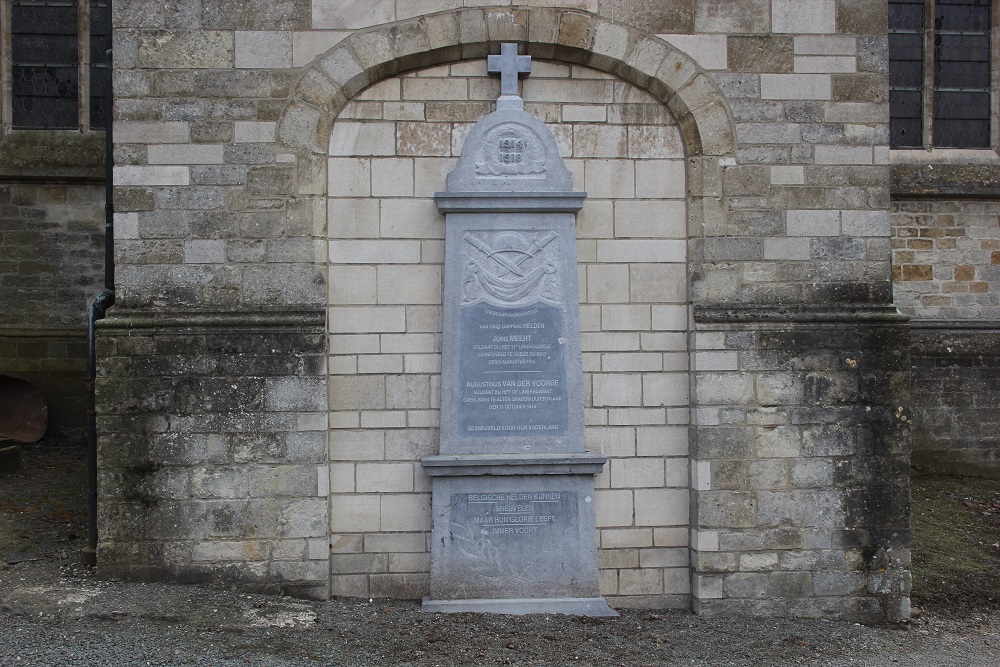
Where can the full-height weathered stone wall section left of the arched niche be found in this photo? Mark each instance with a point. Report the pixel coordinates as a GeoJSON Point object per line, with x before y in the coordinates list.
{"type": "Point", "coordinates": [212, 373]}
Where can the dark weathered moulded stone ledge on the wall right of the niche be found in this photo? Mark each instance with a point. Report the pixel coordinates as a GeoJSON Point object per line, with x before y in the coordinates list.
{"type": "Point", "coordinates": [800, 314]}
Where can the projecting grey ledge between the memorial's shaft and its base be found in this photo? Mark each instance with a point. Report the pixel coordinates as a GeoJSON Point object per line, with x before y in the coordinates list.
{"type": "Point", "coordinates": [466, 465]}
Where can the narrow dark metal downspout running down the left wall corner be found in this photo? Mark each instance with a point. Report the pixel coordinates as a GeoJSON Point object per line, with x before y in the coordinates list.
{"type": "Point", "coordinates": [96, 308]}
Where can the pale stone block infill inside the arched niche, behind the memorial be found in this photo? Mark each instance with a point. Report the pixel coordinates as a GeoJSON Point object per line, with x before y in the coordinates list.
{"type": "Point", "coordinates": [390, 151]}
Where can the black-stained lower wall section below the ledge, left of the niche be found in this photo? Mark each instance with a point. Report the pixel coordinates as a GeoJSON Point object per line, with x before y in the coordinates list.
{"type": "Point", "coordinates": [213, 449]}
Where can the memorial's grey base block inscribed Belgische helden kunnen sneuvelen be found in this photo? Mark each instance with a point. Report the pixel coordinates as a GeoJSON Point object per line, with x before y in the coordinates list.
{"type": "Point", "coordinates": [509, 542]}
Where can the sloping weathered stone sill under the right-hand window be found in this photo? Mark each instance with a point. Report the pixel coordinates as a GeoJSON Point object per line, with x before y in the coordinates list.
{"type": "Point", "coordinates": [945, 173]}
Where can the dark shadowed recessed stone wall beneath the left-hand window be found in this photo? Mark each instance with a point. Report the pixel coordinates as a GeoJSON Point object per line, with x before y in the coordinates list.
{"type": "Point", "coordinates": [51, 262]}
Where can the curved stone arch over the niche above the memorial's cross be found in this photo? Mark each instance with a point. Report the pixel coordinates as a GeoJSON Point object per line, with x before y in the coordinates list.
{"type": "Point", "coordinates": [569, 36]}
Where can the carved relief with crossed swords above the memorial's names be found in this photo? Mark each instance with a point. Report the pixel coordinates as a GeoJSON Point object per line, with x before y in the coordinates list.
{"type": "Point", "coordinates": [511, 268]}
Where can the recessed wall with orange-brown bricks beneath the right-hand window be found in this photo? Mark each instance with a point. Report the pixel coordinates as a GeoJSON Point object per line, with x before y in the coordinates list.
{"type": "Point", "coordinates": [946, 269]}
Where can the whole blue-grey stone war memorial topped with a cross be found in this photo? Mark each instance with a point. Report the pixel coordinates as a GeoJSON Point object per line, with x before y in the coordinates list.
{"type": "Point", "coordinates": [513, 485]}
